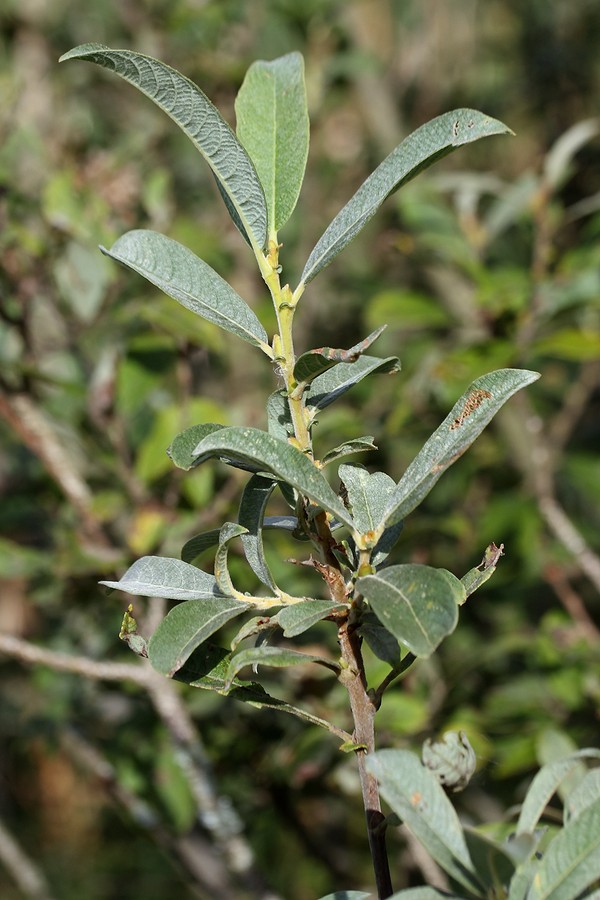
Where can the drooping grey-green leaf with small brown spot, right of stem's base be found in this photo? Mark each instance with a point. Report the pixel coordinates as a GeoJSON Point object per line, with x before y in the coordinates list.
{"type": "Point", "coordinates": [419, 800]}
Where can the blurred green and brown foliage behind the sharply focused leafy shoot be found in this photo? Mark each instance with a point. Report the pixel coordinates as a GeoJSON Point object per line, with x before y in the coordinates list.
{"type": "Point", "coordinates": [491, 259]}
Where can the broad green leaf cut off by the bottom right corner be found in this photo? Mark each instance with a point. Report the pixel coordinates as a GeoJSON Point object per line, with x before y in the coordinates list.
{"type": "Point", "coordinates": [571, 862]}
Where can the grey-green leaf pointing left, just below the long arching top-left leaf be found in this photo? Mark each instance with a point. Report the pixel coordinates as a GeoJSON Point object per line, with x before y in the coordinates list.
{"type": "Point", "coordinates": [185, 277]}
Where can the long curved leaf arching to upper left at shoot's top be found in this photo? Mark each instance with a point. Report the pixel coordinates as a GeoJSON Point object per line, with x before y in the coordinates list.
{"type": "Point", "coordinates": [185, 103]}
